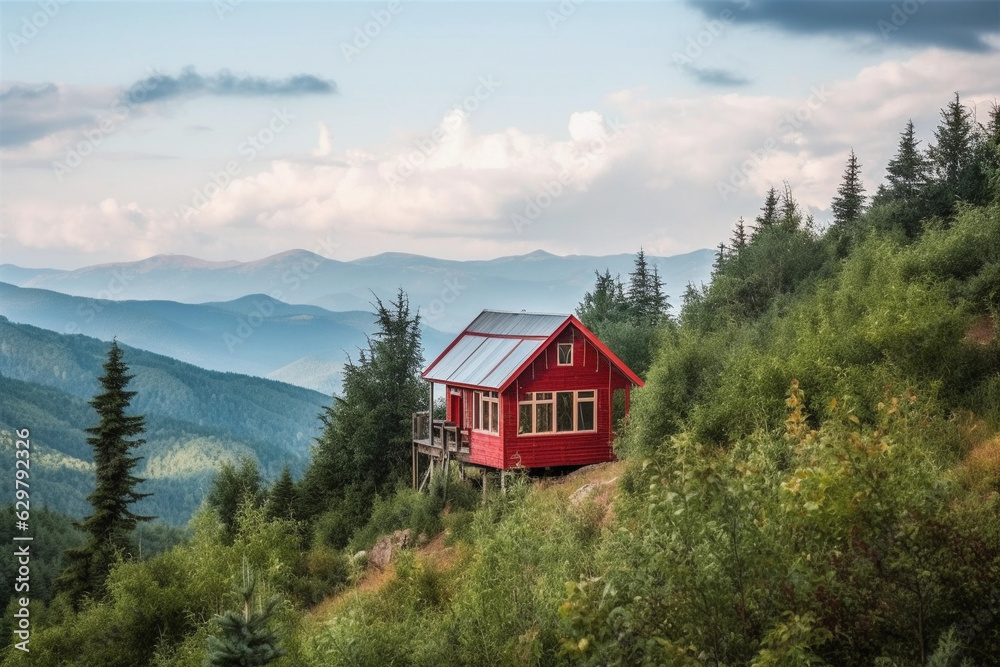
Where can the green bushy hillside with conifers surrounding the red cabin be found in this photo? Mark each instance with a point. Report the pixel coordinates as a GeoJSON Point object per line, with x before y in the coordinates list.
{"type": "Point", "coordinates": [811, 476]}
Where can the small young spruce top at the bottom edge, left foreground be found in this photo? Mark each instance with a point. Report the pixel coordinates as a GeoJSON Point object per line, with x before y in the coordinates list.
{"type": "Point", "coordinates": [245, 639]}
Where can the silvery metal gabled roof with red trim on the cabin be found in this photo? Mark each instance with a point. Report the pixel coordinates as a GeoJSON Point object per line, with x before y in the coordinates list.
{"type": "Point", "coordinates": [497, 346]}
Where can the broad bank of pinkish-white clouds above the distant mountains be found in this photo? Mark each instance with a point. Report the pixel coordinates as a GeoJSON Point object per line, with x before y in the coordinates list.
{"type": "Point", "coordinates": [452, 191]}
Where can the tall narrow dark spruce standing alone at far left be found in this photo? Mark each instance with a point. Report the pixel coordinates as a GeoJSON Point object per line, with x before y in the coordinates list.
{"type": "Point", "coordinates": [108, 529]}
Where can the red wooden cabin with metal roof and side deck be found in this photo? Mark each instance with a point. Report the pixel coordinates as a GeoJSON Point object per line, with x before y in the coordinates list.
{"type": "Point", "coordinates": [526, 390]}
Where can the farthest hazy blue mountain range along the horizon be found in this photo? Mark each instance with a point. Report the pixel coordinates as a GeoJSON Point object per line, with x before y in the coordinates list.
{"type": "Point", "coordinates": [447, 293]}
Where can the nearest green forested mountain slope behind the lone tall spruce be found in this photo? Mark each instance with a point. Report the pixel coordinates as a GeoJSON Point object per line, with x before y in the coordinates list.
{"type": "Point", "coordinates": [195, 419]}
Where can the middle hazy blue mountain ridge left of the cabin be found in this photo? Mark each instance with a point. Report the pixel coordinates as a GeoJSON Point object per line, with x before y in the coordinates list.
{"type": "Point", "coordinates": [255, 334]}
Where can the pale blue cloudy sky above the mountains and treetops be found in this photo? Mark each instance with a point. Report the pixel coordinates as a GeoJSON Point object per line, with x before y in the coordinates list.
{"type": "Point", "coordinates": [235, 129]}
